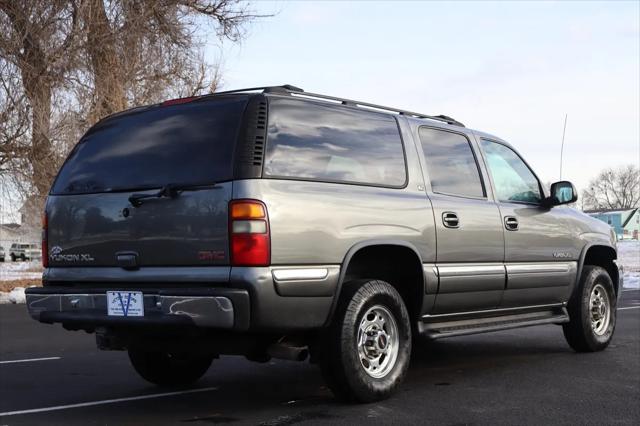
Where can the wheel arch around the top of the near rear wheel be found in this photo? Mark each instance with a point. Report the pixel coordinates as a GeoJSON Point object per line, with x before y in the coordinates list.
{"type": "Point", "coordinates": [358, 252]}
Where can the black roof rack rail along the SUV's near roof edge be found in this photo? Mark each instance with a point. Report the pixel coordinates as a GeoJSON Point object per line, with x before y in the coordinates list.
{"type": "Point", "coordinates": [288, 89]}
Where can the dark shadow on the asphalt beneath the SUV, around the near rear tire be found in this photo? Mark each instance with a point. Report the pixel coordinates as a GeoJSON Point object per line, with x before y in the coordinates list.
{"type": "Point", "coordinates": [297, 391]}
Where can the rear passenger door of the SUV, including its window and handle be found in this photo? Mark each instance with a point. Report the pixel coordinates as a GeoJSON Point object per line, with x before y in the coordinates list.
{"type": "Point", "coordinates": [469, 233]}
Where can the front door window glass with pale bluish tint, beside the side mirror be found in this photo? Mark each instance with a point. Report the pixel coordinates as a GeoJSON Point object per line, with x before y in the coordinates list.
{"type": "Point", "coordinates": [513, 180]}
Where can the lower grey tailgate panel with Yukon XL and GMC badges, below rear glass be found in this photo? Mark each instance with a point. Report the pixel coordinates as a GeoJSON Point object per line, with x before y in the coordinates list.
{"type": "Point", "coordinates": [106, 230]}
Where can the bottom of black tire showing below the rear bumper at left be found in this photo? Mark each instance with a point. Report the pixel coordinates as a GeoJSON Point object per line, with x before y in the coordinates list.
{"type": "Point", "coordinates": [169, 369]}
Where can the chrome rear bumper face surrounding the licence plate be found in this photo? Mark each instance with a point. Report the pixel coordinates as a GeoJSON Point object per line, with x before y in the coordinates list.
{"type": "Point", "coordinates": [87, 308]}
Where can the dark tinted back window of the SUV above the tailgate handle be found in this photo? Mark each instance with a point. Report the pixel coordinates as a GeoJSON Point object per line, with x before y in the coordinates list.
{"type": "Point", "coordinates": [185, 143]}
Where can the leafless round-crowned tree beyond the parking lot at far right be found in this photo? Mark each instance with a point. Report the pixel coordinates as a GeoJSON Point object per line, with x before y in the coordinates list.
{"type": "Point", "coordinates": [614, 188]}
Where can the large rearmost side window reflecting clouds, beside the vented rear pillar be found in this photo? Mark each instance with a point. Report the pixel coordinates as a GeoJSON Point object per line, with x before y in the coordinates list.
{"type": "Point", "coordinates": [330, 143]}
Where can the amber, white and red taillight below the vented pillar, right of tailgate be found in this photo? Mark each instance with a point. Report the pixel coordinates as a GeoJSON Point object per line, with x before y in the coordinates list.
{"type": "Point", "coordinates": [249, 237]}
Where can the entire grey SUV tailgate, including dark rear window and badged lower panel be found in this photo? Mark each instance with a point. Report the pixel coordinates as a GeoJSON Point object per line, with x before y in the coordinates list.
{"type": "Point", "coordinates": [92, 222]}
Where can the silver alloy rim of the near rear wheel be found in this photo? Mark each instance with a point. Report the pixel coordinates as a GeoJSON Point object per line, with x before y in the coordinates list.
{"type": "Point", "coordinates": [378, 341]}
